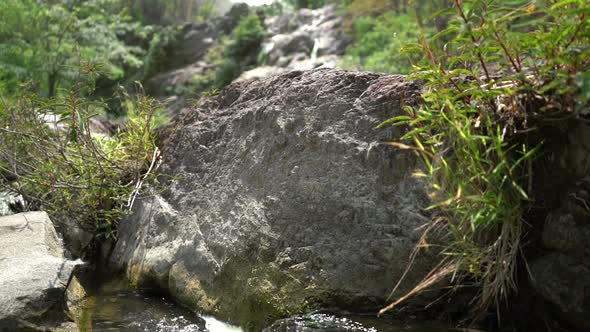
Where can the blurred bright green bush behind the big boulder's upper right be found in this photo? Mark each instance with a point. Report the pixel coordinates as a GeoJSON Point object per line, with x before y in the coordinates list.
{"type": "Point", "coordinates": [381, 28]}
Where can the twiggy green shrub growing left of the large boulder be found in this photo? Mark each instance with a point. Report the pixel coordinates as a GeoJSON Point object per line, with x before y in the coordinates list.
{"type": "Point", "coordinates": [49, 154]}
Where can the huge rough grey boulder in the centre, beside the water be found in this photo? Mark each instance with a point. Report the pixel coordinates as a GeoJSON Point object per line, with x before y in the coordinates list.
{"type": "Point", "coordinates": [281, 197]}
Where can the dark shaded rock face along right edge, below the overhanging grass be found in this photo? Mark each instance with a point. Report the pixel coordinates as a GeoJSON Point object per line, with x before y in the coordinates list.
{"type": "Point", "coordinates": [560, 272]}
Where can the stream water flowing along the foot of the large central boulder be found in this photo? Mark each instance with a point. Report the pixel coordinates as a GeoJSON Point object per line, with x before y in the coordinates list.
{"type": "Point", "coordinates": [115, 307]}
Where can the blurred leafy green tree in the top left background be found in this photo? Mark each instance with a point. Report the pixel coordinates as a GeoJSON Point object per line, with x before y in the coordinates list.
{"type": "Point", "coordinates": [43, 41]}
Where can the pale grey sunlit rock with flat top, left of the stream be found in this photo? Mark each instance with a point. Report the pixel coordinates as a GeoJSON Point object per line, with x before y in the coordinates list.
{"type": "Point", "coordinates": [33, 272]}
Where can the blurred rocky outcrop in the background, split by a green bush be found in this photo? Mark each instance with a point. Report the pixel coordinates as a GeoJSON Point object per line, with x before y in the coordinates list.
{"type": "Point", "coordinates": [300, 40]}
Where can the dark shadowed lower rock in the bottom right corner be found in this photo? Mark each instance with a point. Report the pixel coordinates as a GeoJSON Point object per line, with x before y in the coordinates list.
{"type": "Point", "coordinates": [560, 276]}
